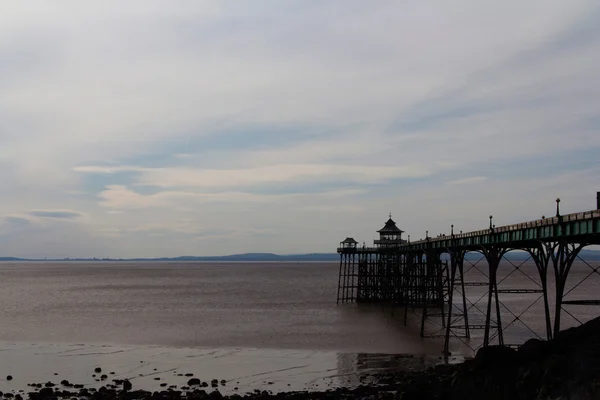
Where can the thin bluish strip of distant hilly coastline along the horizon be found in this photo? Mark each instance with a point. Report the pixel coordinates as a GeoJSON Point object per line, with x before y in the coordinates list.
{"type": "Point", "coordinates": [588, 255]}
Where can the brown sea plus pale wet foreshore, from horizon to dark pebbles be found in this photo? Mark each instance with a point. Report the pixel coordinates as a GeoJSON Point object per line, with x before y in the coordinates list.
{"type": "Point", "coordinates": [259, 326]}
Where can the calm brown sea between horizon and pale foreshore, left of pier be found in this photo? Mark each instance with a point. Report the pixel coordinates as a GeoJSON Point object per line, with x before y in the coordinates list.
{"type": "Point", "coordinates": [276, 306]}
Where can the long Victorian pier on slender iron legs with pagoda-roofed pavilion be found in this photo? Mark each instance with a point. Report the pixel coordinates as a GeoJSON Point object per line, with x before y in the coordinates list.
{"type": "Point", "coordinates": [431, 277]}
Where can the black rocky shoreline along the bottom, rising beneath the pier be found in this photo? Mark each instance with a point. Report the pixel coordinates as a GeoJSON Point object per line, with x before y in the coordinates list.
{"type": "Point", "coordinates": [567, 367]}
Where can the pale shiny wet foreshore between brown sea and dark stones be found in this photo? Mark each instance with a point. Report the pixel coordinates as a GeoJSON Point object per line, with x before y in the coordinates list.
{"type": "Point", "coordinates": [158, 368]}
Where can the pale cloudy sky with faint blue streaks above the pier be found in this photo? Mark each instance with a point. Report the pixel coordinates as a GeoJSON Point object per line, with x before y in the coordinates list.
{"type": "Point", "coordinates": [146, 129]}
